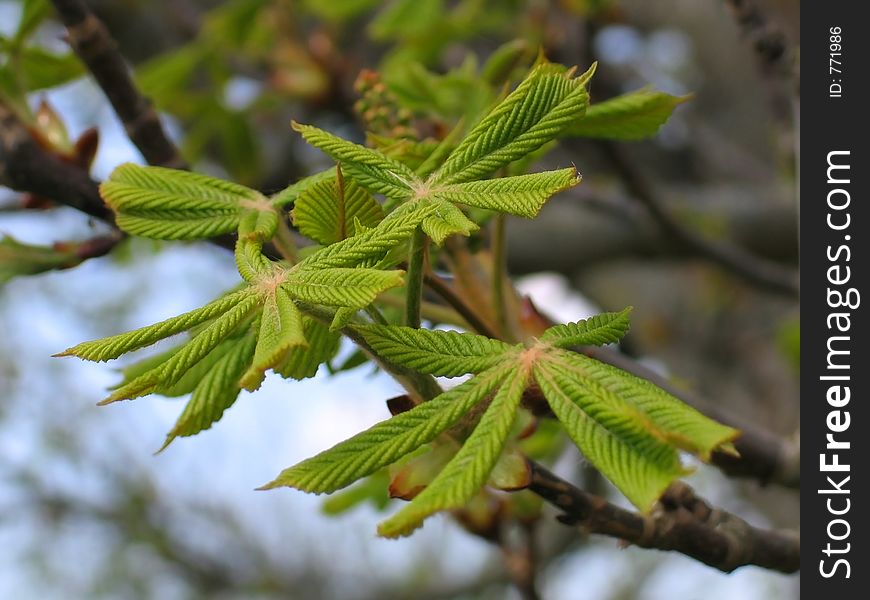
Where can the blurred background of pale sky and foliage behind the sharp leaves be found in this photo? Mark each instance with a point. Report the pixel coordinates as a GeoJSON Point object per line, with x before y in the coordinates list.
{"type": "Point", "coordinates": [87, 512]}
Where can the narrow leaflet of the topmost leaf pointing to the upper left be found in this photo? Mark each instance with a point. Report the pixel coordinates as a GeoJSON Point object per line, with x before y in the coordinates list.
{"type": "Point", "coordinates": [372, 170]}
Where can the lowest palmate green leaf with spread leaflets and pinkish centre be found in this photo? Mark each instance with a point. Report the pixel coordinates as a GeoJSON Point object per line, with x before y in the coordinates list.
{"type": "Point", "coordinates": [628, 428]}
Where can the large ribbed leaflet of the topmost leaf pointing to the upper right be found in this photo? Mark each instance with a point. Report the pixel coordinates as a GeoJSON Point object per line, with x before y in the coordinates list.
{"type": "Point", "coordinates": [536, 112]}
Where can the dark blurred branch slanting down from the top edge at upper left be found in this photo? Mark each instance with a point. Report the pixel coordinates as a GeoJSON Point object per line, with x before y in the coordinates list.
{"type": "Point", "coordinates": [94, 45]}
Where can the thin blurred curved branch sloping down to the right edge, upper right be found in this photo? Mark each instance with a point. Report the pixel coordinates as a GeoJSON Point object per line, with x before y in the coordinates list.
{"type": "Point", "coordinates": [753, 269]}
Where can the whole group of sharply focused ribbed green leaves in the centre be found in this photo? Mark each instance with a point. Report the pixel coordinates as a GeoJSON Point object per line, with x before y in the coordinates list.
{"type": "Point", "coordinates": [287, 315]}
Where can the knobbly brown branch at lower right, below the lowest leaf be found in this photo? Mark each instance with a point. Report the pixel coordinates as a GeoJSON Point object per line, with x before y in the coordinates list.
{"type": "Point", "coordinates": [682, 522]}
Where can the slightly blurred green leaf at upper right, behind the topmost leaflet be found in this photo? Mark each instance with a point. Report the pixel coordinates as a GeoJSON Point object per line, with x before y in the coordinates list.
{"type": "Point", "coordinates": [632, 116]}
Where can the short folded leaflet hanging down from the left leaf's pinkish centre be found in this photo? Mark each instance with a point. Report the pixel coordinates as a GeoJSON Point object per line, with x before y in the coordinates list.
{"type": "Point", "coordinates": [280, 330]}
